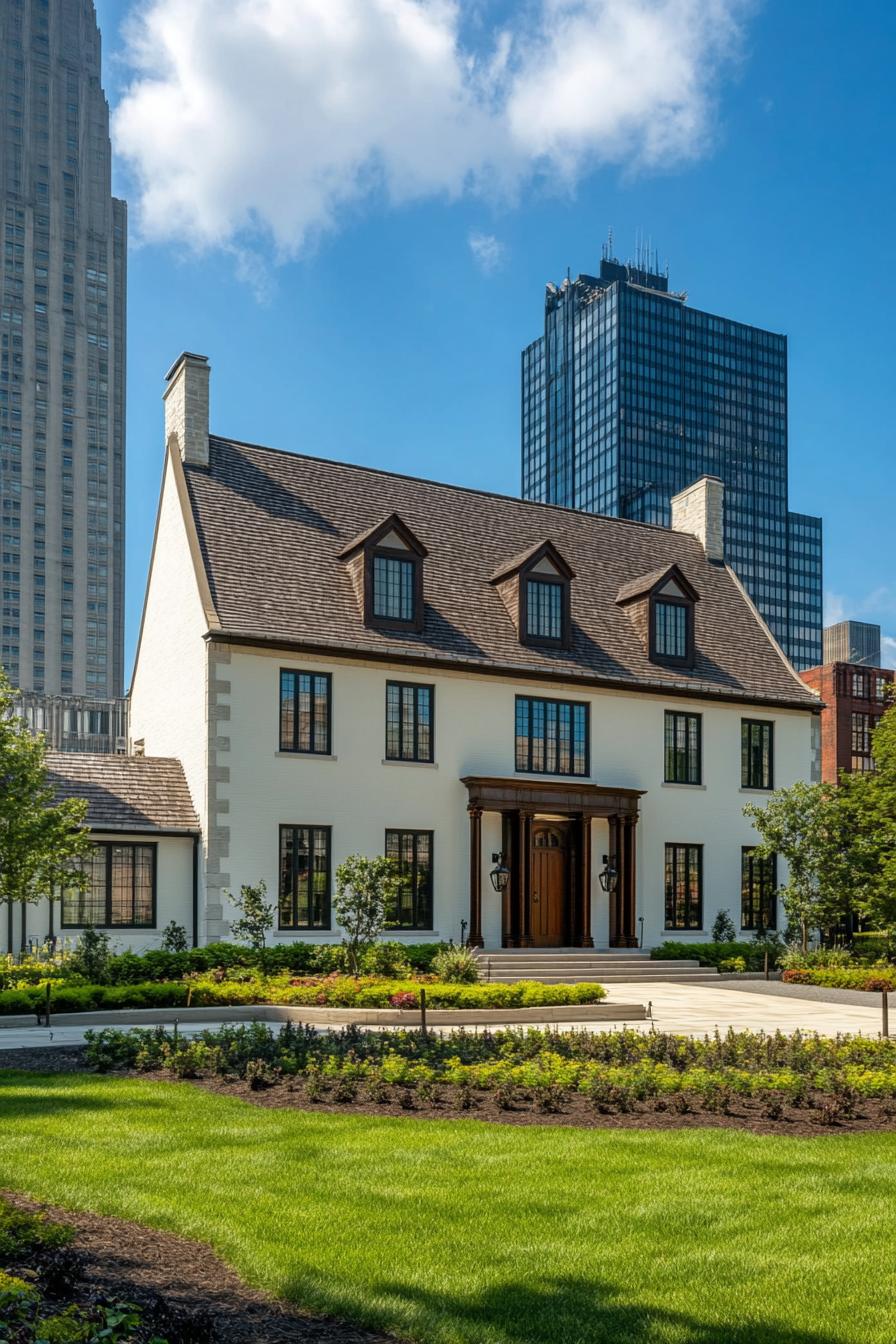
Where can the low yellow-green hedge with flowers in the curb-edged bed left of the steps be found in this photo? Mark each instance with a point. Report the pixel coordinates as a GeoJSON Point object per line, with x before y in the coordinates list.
{"type": "Point", "coordinates": [341, 993]}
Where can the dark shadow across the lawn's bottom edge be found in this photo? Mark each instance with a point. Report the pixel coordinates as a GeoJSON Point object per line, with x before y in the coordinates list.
{"type": "Point", "coordinates": [584, 1311]}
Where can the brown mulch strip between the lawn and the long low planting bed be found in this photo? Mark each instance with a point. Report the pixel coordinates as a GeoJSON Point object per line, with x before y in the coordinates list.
{"type": "Point", "coordinates": [796, 1122]}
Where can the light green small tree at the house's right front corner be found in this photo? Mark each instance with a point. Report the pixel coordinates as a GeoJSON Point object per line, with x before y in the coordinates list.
{"type": "Point", "coordinates": [808, 827]}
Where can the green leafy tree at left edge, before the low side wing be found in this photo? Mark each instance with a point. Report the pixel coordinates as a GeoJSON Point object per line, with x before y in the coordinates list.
{"type": "Point", "coordinates": [42, 842]}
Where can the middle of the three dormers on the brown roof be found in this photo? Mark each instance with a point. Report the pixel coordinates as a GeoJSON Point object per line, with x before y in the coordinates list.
{"type": "Point", "coordinates": [535, 589]}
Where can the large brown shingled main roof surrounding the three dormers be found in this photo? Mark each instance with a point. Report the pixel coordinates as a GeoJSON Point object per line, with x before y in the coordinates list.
{"type": "Point", "coordinates": [271, 528]}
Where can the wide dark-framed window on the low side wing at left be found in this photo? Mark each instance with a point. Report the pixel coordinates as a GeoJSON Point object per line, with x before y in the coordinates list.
{"type": "Point", "coordinates": [122, 889]}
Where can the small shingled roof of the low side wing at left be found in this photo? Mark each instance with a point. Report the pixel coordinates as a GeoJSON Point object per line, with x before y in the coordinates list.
{"type": "Point", "coordinates": [126, 794]}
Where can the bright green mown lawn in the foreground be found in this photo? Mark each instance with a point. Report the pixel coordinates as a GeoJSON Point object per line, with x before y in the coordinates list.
{"type": "Point", "coordinates": [459, 1232]}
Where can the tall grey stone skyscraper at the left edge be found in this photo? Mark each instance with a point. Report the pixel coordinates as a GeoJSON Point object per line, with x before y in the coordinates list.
{"type": "Point", "coordinates": [62, 358]}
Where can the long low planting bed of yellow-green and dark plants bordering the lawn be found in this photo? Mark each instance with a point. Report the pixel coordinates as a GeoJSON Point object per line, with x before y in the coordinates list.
{"type": "Point", "coordinates": [791, 1080]}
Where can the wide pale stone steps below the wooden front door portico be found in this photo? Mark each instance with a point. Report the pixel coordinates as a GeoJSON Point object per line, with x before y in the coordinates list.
{"type": "Point", "coordinates": [573, 966]}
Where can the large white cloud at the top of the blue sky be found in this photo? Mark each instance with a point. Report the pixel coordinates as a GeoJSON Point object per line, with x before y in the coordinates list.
{"type": "Point", "coordinates": [267, 120]}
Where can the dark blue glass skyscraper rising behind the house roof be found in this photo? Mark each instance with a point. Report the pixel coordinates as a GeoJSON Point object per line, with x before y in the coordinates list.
{"type": "Point", "coordinates": [631, 396]}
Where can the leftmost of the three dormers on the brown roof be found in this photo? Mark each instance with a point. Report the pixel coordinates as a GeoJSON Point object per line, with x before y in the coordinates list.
{"type": "Point", "coordinates": [386, 566]}
